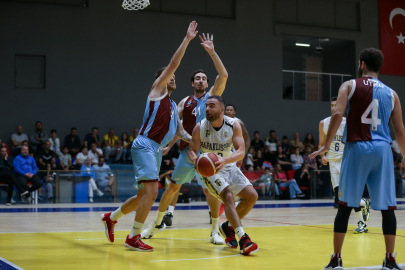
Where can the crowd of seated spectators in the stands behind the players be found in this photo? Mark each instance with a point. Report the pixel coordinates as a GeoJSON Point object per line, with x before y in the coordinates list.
{"type": "Point", "coordinates": [272, 165]}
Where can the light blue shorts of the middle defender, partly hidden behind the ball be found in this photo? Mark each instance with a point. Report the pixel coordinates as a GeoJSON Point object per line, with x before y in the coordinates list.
{"type": "Point", "coordinates": [184, 171]}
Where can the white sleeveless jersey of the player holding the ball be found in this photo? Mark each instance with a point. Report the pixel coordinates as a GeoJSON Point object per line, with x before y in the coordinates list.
{"type": "Point", "coordinates": [218, 142]}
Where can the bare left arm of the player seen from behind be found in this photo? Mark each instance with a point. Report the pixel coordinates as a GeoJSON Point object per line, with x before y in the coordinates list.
{"type": "Point", "coordinates": [336, 118]}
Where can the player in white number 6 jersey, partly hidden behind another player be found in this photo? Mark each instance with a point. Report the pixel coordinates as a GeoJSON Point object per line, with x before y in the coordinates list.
{"type": "Point", "coordinates": [334, 157]}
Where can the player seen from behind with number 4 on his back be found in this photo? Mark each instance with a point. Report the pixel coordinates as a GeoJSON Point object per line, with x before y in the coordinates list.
{"type": "Point", "coordinates": [367, 157]}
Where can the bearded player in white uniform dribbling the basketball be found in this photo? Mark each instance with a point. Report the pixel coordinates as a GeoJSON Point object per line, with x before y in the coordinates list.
{"type": "Point", "coordinates": [222, 135]}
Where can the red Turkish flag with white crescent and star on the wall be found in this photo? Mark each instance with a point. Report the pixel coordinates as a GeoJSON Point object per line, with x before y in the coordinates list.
{"type": "Point", "coordinates": [392, 36]}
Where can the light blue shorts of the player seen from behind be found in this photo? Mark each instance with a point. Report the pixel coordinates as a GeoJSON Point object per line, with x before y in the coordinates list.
{"type": "Point", "coordinates": [368, 162]}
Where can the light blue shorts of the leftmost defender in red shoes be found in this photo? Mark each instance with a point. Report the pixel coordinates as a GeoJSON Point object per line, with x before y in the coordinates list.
{"type": "Point", "coordinates": [147, 158]}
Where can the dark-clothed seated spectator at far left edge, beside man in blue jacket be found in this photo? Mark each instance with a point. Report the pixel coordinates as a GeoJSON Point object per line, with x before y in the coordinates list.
{"type": "Point", "coordinates": [6, 169]}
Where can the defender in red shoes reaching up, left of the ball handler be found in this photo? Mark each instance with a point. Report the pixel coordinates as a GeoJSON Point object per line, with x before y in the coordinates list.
{"type": "Point", "coordinates": [160, 125]}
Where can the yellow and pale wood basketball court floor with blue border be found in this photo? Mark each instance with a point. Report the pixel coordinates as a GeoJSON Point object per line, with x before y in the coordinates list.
{"type": "Point", "coordinates": [290, 234]}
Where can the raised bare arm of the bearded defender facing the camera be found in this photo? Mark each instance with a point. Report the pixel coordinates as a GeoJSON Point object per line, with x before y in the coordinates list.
{"type": "Point", "coordinates": [220, 81]}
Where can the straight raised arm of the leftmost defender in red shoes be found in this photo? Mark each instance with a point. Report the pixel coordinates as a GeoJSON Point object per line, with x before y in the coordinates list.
{"type": "Point", "coordinates": [159, 86]}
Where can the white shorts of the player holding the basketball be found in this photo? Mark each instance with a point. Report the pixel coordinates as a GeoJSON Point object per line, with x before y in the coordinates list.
{"type": "Point", "coordinates": [229, 176]}
